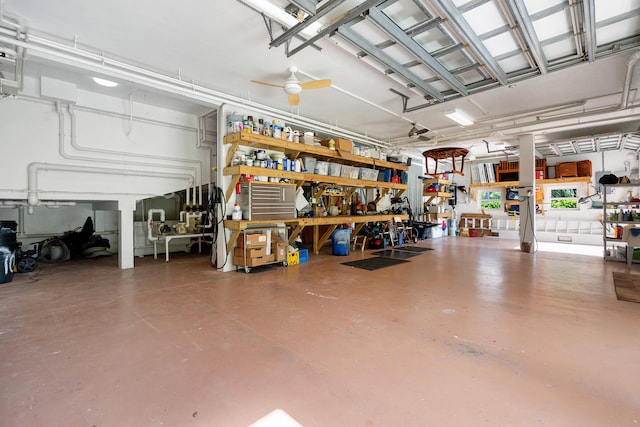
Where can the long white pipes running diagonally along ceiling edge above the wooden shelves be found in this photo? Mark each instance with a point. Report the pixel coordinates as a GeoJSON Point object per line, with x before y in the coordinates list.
{"type": "Point", "coordinates": [90, 61]}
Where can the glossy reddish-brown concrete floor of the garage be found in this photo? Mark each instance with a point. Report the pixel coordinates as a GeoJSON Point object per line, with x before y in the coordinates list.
{"type": "Point", "coordinates": [474, 332]}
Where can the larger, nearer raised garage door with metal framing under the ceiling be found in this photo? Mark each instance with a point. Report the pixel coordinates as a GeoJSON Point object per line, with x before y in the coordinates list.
{"type": "Point", "coordinates": [447, 49]}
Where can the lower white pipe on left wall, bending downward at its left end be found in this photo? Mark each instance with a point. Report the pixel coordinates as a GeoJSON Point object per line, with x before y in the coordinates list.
{"type": "Point", "coordinates": [35, 167]}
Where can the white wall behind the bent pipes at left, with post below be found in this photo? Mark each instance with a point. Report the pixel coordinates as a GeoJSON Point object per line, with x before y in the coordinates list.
{"type": "Point", "coordinates": [110, 159]}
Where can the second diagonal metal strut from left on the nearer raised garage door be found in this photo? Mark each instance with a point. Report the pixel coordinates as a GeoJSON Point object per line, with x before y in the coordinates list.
{"type": "Point", "coordinates": [392, 29]}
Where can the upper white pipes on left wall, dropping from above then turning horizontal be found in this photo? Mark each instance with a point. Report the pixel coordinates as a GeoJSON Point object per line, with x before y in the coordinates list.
{"type": "Point", "coordinates": [61, 148]}
